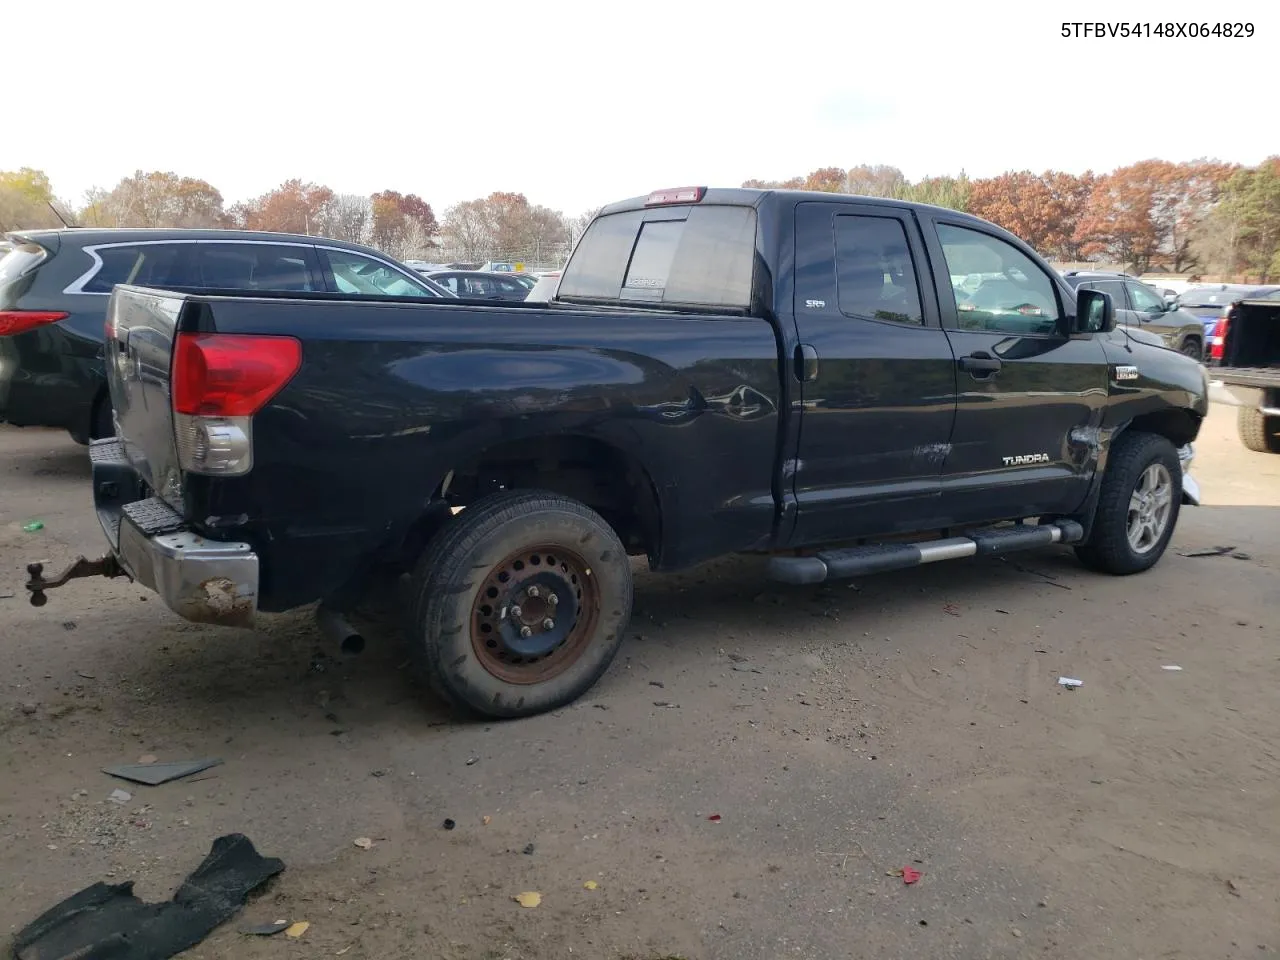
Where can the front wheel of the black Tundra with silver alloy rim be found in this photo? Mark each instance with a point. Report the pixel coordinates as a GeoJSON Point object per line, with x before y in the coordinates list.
{"type": "Point", "coordinates": [1110, 548]}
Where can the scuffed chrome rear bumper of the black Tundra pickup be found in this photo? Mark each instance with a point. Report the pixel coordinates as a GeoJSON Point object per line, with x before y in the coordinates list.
{"type": "Point", "coordinates": [202, 580]}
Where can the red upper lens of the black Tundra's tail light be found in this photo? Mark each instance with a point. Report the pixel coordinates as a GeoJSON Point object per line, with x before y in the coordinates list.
{"type": "Point", "coordinates": [223, 376]}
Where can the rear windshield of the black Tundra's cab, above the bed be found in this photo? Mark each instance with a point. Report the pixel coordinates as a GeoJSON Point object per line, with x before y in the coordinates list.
{"type": "Point", "coordinates": [696, 257]}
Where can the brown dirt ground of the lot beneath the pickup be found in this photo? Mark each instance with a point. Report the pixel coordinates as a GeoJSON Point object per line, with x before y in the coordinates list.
{"type": "Point", "coordinates": [842, 734]}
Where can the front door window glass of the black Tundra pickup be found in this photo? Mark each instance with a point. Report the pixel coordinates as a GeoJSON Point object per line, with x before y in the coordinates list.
{"type": "Point", "coordinates": [1013, 295]}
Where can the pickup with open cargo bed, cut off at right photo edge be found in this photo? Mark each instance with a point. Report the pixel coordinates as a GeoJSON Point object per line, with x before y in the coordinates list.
{"type": "Point", "coordinates": [1245, 359]}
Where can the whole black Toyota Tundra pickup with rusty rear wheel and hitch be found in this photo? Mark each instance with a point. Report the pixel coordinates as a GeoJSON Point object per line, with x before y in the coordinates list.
{"type": "Point", "coordinates": [843, 385]}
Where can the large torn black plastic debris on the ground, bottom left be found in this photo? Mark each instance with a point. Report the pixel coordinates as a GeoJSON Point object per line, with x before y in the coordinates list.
{"type": "Point", "coordinates": [109, 922]}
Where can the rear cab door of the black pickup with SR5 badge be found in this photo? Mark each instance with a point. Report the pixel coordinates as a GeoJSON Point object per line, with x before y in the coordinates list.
{"type": "Point", "coordinates": [875, 373]}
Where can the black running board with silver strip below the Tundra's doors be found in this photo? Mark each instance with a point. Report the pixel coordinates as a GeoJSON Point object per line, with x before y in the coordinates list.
{"type": "Point", "coordinates": [879, 559]}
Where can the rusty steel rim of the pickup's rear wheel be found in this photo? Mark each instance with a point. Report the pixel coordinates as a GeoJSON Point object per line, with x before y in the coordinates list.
{"type": "Point", "coordinates": [534, 615]}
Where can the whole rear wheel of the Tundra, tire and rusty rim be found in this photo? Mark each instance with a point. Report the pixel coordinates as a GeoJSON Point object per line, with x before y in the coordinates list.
{"type": "Point", "coordinates": [491, 561]}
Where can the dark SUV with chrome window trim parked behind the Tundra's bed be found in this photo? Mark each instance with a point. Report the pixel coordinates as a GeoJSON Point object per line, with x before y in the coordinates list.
{"type": "Point", "coordinates": [54, 286]}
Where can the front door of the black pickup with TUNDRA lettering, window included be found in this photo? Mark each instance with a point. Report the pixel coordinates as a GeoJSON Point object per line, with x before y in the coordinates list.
{"type": "Point", "coordinates": [1031, 399]}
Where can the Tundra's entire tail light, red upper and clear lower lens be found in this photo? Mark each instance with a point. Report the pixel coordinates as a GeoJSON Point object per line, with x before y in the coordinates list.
{"type": "Point", "coordinates": [220, 382]}
